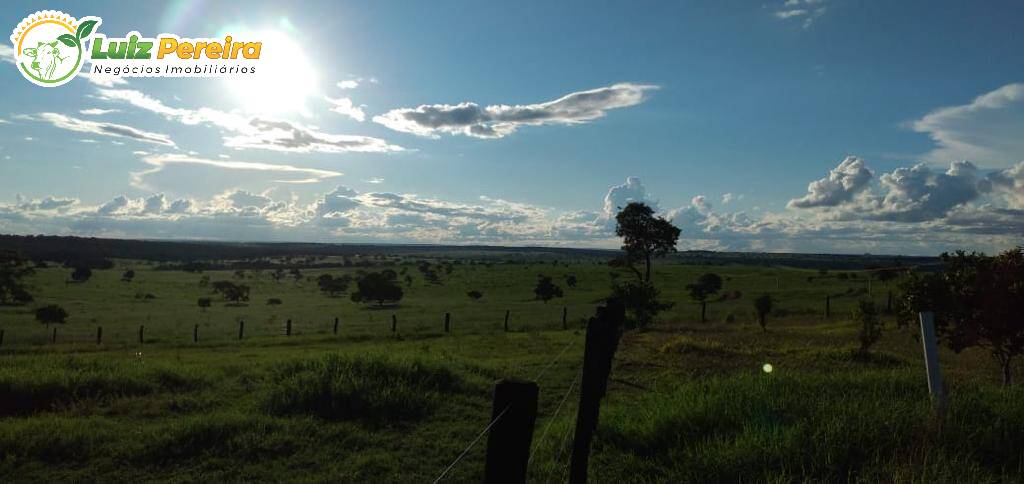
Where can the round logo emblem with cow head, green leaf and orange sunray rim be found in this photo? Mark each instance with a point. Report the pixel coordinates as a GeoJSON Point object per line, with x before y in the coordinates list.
{"type": "Point", "coordinates": [49, 47]}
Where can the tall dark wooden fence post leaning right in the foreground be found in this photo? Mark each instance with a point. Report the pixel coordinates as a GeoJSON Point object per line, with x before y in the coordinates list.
{"type": "Point", "coordinates": [603, 339]}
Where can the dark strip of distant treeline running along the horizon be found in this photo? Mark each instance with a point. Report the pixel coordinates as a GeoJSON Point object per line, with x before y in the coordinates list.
{"type": "Point", "coordinates": [198, 256]}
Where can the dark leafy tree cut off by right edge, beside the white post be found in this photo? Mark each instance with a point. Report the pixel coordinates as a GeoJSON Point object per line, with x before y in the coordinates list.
{"type": "Point", "coordinates": [978, 301]}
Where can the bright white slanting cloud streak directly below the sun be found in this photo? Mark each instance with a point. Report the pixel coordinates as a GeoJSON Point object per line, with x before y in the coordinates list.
{"type": "Point", "coordinates": [242, 133]}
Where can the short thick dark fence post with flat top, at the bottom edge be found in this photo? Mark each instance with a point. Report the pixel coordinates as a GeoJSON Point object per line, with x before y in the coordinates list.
{"type": "Point", "coordinates": [510, 438]}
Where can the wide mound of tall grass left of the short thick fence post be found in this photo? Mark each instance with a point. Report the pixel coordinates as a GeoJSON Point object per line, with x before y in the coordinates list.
{"type": "Point", "coordinates": [370, 389]}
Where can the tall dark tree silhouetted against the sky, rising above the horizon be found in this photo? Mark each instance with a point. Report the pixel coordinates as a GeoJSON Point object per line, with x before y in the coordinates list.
{"type": "Point", "coordinates": [645, 238]}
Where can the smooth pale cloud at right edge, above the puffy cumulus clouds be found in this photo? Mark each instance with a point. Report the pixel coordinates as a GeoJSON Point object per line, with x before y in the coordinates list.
{"type": "Point", "coordinates": [988, 130]}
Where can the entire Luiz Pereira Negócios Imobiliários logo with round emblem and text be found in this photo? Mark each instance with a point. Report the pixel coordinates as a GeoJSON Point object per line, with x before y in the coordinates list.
{"type": "Point", "coordinates": [51, 49]}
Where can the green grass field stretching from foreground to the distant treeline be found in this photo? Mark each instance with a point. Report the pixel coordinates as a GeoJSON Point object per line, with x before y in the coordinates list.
{"type": "Point", "coordinates": [688, 402]}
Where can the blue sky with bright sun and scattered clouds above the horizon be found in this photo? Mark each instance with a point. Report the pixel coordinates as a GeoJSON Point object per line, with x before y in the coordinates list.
{"type": "Point", "coordinates": [825, 126]}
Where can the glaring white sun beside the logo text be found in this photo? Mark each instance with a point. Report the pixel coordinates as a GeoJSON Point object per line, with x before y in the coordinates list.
{"type": "Point", "coordinates": [285, 77]}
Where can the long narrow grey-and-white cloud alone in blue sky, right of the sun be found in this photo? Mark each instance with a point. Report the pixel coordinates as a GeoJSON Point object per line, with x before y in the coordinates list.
{"type": "Point", "coordinates": [499, 121]}
